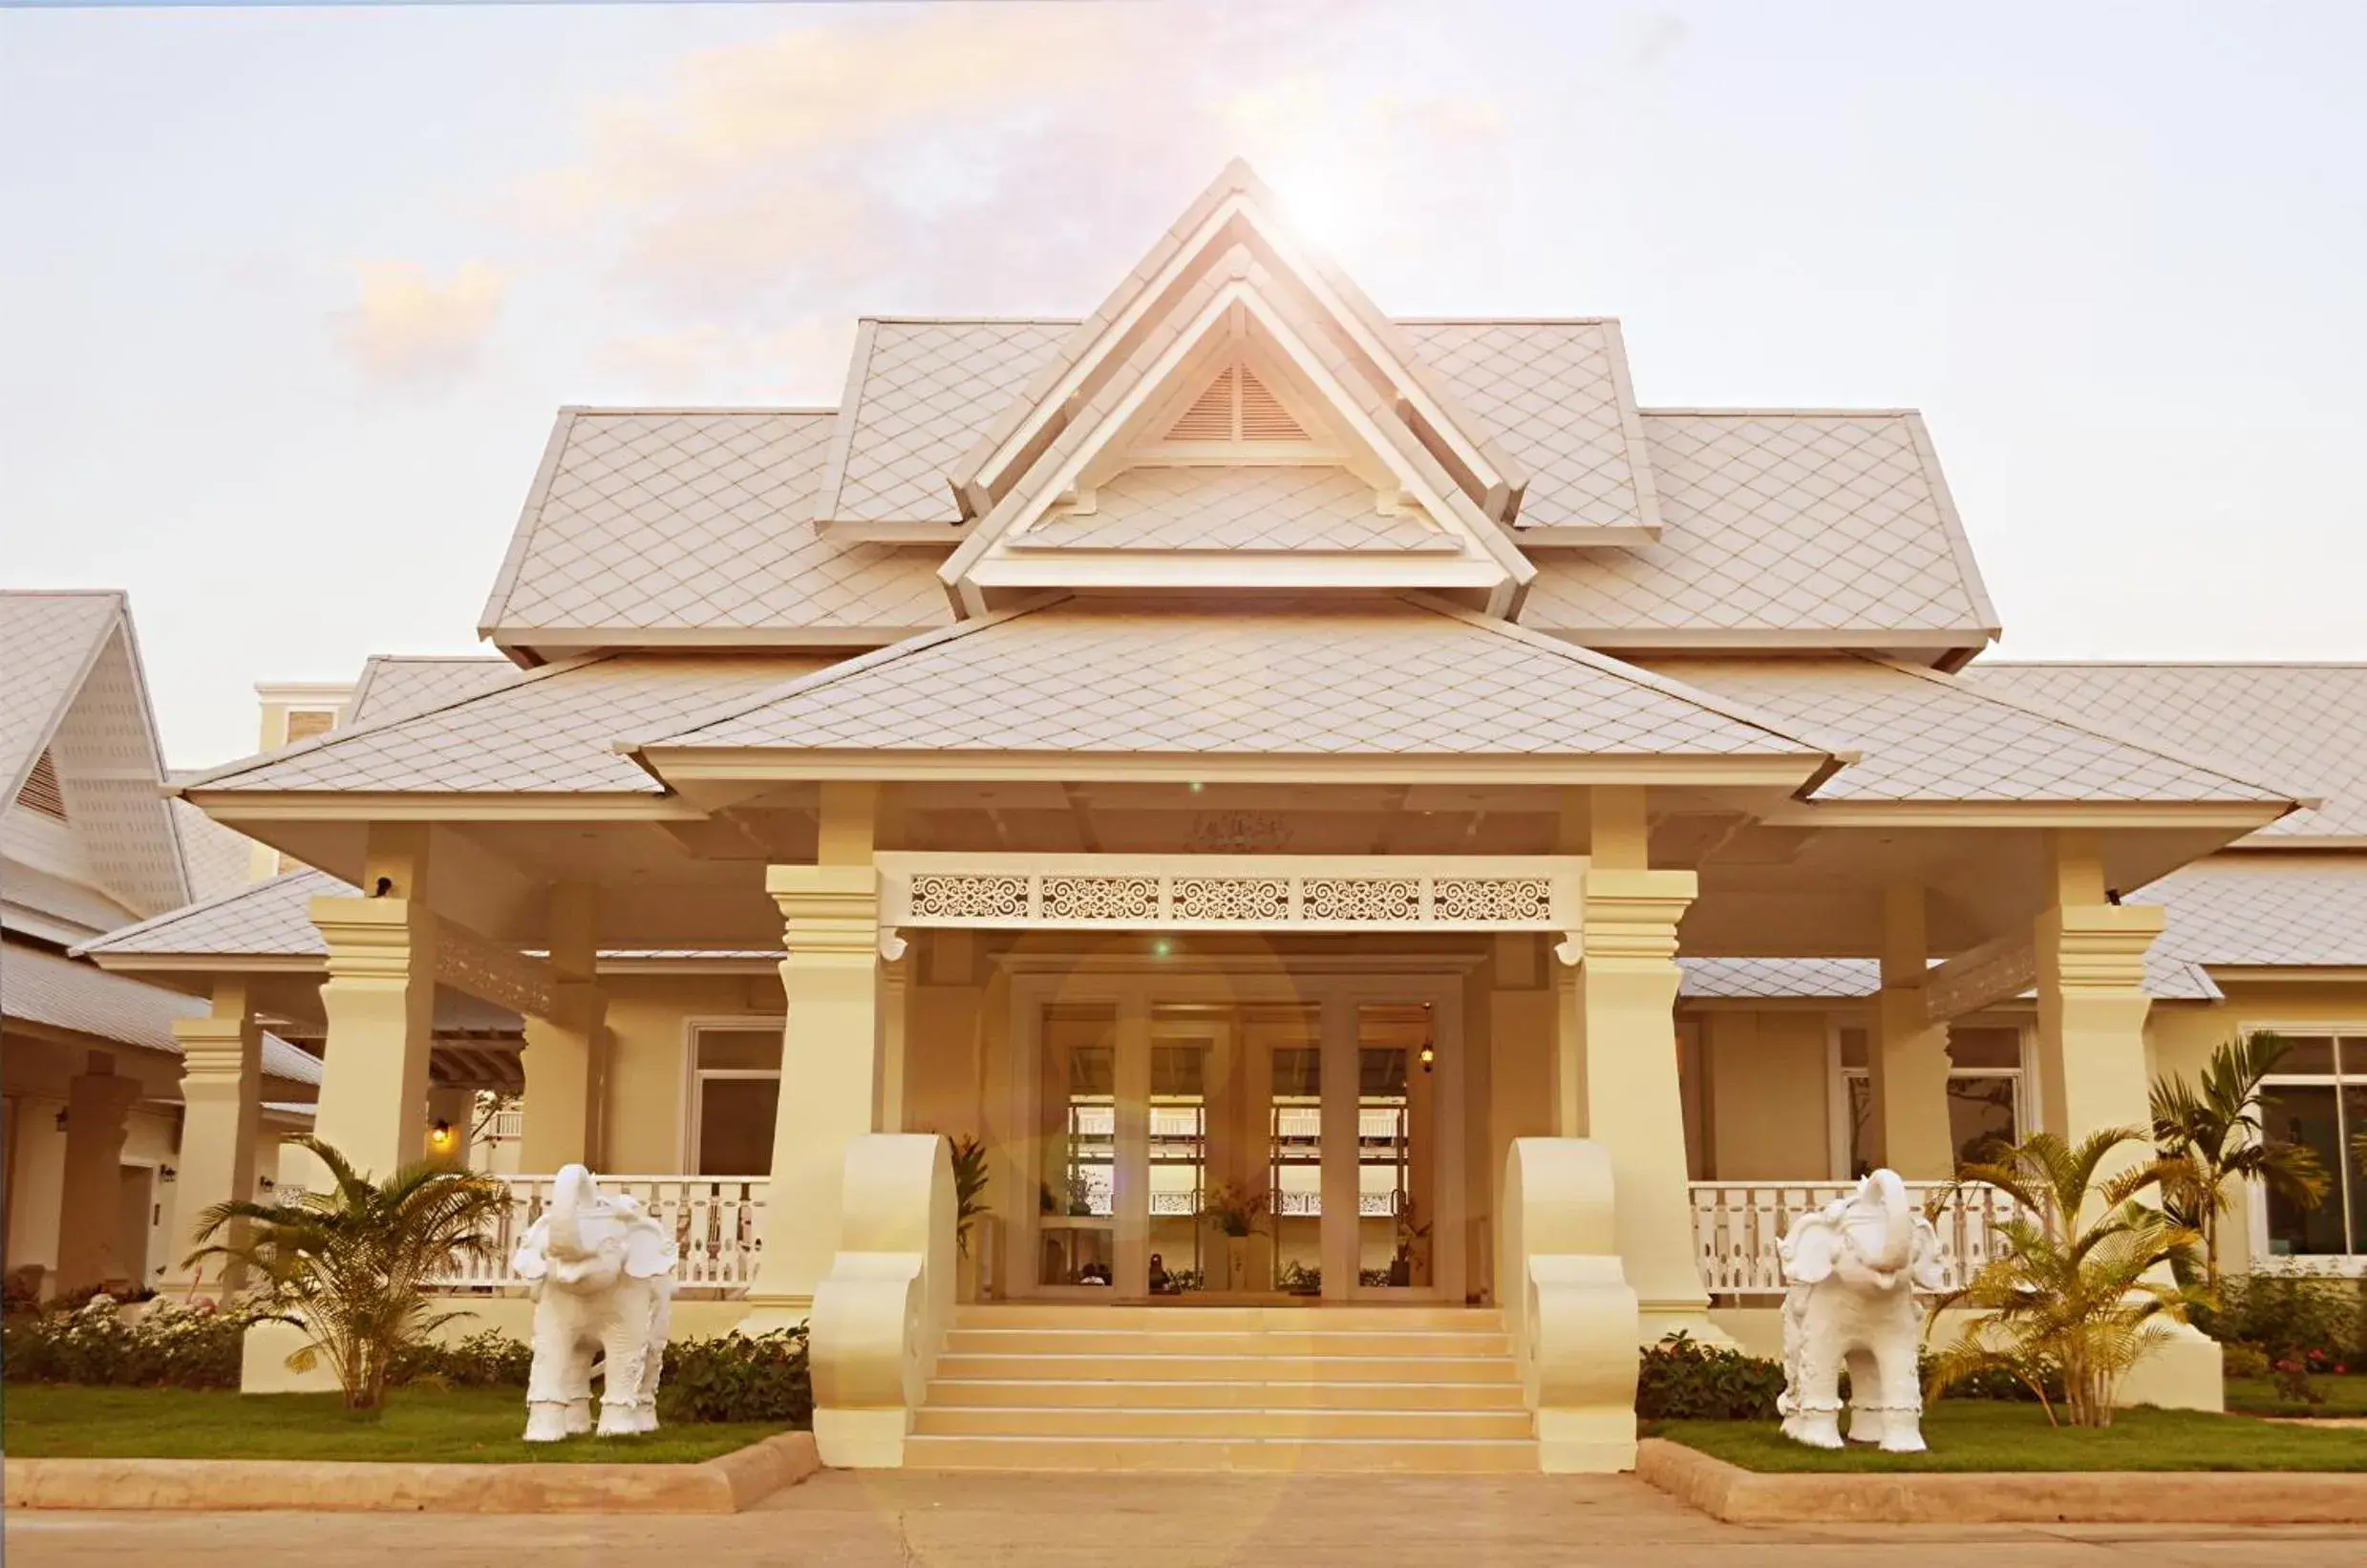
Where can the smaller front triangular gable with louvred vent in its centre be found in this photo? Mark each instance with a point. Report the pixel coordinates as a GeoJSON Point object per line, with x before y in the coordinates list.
{"type": "Point", "coordinates": [1284, 469]}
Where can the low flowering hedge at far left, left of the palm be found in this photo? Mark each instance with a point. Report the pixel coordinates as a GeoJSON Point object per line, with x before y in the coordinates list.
{"type": "Point", "coordinates": [172, 1347]}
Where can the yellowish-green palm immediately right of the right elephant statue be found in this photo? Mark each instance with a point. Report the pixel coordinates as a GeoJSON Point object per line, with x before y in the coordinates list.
{"type": "Point", "coordinates": [2082, 1276]}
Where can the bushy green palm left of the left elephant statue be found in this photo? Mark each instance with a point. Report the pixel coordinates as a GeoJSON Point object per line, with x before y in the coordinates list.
{"type": "Point", "coordinates": [351, 1264]}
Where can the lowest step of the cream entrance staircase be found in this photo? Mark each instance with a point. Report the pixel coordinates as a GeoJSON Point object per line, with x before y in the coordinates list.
{"type": "Point", "coordinates": [1322, 1456]}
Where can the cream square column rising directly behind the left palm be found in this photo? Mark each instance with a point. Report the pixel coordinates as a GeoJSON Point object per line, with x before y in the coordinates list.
{"type": "Point", "coordinates": [382, 1011]}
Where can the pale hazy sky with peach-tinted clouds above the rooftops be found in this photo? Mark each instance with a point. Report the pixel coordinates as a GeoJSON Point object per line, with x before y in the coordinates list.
{"type": "Point", "coordinates": [290, 297]}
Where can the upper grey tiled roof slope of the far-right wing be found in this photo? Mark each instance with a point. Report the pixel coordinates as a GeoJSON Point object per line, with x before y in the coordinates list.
{"type": "Point", "coordinates": [2304, 725]}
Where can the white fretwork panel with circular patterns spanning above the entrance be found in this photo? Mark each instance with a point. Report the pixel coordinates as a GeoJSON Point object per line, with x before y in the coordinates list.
{"type": "Point", "coordinates": [1192, 893]}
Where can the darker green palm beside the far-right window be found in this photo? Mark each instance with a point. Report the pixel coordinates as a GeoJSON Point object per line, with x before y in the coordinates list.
{"type": "Point", "coordinates": [2212, 1134]}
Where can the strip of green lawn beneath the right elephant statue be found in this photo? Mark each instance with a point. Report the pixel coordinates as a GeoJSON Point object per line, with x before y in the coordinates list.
{"type": "Point", "coordinates": [1999, 1437]}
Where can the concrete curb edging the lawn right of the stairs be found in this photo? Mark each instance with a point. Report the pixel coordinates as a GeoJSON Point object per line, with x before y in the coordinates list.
{"type": "Point", "coordinates": [2004, 1498]}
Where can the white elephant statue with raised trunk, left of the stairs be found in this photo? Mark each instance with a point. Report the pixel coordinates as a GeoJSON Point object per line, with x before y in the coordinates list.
{"type": "Point", "coordinates": [602, 1276]}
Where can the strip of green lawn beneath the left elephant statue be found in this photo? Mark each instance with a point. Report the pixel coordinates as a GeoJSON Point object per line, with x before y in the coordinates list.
{"type": "Point", "coordinates": [446, 1425]}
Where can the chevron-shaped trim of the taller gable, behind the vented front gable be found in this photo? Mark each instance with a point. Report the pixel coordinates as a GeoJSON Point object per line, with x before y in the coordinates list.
{"type": "Point", "coordinates": [1230, 214]}
